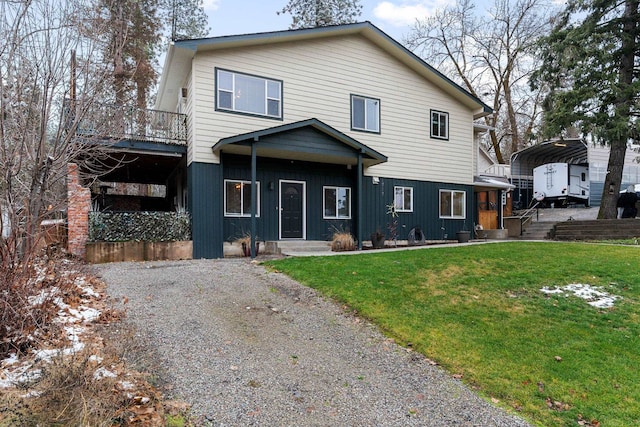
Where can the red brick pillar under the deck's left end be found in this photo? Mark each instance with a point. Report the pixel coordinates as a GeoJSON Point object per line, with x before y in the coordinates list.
{"type": "Point", "coordinates": [78, 205]}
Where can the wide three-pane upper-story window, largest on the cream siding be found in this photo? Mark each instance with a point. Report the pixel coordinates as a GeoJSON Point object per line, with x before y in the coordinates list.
{"type": "Point", "coordinates": [247, 94]}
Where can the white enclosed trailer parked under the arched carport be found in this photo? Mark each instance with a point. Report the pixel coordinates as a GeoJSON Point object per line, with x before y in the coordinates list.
{"type": "Point", "coordinates": [559, 184]}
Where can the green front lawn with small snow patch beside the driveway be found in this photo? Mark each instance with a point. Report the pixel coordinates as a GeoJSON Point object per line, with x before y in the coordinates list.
{"type": "Point", "coordinates": [478, 311]}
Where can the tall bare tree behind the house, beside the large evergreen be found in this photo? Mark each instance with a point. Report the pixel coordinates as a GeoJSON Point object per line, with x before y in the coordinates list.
{"type": "Point", "coordinates": [490, 55]}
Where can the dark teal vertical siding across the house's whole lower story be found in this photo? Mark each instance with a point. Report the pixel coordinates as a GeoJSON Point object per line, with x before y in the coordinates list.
{"type": "Point", "coordinates": [211, 228]}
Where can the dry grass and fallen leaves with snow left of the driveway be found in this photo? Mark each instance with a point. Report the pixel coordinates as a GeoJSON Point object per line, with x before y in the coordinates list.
{"type": "Point", "coordinates": [98, 385]}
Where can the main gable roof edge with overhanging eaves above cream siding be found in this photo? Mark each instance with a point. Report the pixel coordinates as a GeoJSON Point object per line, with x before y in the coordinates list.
{"type": "Point", "coordinates": [178, 60]}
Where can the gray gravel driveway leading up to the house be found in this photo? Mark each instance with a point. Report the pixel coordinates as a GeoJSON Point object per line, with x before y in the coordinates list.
{"type": "Point", "coordinates": [246, 347]}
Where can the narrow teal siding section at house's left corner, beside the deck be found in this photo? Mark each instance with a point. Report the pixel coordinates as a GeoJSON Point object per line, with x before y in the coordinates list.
{"type": "Point", "coordinates": [205, 183]}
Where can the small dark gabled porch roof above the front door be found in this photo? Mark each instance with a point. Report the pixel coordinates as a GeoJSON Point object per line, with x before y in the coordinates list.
{"type": "Point", "coordinates": [307, 140]}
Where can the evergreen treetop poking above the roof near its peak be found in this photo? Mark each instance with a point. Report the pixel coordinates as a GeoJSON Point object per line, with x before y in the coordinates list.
{"type": "Point", "coordinates": [320, 13]}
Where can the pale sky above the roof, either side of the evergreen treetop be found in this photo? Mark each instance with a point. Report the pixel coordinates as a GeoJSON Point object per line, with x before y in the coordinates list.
{"type": "Point", "coordinates": [394, 17]}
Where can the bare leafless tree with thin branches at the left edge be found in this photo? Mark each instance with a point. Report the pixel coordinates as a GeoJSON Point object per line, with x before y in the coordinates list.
{"type": "Point", "coordinates": [45, 98]}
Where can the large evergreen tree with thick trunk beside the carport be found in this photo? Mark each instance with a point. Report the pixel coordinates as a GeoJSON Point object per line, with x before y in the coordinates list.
{"type": "Point", "coordinates": [590, 68]}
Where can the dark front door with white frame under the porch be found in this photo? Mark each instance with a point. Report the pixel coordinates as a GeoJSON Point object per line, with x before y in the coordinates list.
{"type": "Point", "coordinates": [292, 209]}
